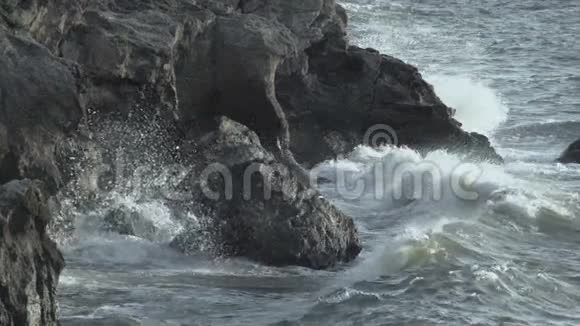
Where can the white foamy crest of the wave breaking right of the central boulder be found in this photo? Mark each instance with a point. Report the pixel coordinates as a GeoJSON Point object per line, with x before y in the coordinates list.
{"type": "Point", "coordinates": [389, 177]}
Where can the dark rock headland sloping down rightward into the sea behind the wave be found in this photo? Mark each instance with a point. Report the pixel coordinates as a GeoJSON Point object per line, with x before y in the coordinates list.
{"type": "Point", "coordinates": [347, 92]}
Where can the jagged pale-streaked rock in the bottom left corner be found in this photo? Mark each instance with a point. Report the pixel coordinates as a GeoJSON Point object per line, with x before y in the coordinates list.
{"type": "Point", "coordinates": [31, 263]}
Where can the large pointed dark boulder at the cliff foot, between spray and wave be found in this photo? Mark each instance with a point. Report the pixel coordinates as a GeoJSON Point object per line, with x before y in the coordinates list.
{"type": "Point", "coordinates": [263, 211]}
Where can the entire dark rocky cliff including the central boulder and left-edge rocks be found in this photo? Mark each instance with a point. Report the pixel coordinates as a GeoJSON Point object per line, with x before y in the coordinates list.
{"type": "Point", "coordinates": [267, 85]}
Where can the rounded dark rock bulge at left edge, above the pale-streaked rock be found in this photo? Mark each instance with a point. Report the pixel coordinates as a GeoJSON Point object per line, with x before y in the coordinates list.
{"type": "Point", "coordinates": [39, 103]}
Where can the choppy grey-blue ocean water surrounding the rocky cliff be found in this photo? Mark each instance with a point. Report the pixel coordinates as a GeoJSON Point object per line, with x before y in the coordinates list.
{"type": "Point", "coordinates": [511, 256]}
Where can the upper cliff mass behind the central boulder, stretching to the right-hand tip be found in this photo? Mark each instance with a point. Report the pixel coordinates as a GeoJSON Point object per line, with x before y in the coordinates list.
{"type": "Point", "coordinates": [282, 68]}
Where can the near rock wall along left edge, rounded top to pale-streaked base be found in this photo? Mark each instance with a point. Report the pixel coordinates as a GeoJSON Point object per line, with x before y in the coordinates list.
{"type": "Point", "coordinates": [39, 104]}
